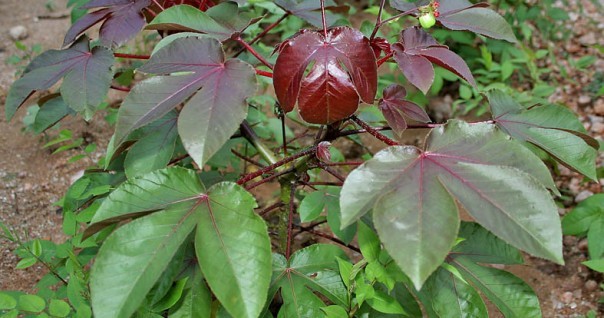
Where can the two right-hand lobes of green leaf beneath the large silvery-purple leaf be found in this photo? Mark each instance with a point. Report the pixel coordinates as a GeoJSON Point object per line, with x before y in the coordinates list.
{"type": "Point", "coordinates": [512, 296]}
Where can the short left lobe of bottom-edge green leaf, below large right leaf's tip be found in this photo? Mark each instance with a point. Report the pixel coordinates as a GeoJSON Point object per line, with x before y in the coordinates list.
{"type": "Point", "coordinates": [451, 297]}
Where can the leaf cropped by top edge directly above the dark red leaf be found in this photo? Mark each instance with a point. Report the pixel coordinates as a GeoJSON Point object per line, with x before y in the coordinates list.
{"type": "Point", "coordinates": [309, 10]}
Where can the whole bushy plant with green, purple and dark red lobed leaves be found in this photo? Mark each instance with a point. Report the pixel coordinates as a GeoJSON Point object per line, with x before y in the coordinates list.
{"type": "Point", "coordinates": [170, 216]}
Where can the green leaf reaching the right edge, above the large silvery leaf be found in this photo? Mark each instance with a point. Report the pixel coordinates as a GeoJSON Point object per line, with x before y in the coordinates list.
{"type": "Point", "coordinates": [552, 128]}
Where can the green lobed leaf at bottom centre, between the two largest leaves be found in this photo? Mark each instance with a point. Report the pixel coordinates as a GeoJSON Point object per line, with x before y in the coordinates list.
{"type": "Point", "coordinates": [313, 268]}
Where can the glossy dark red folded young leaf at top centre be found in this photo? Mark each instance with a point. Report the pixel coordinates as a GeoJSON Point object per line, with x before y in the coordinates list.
{"type": "Point", "coordinates": [343, 69]}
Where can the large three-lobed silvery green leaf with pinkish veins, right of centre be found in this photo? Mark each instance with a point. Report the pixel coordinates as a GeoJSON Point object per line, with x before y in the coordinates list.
{"type": "Point", "coordinates": [412, 192]}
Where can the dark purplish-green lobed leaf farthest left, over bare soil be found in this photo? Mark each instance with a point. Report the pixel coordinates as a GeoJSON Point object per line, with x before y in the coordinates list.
{"type": "Point", "coordinates": [86, 72]}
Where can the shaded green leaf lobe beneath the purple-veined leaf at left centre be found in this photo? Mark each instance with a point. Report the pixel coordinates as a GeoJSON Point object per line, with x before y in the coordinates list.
{"type": "Point", "coordinates": [154, 150]}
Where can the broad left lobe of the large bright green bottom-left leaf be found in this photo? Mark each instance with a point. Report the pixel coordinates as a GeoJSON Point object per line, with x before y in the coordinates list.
{"type": "Point", "coordinates": [141, 250]}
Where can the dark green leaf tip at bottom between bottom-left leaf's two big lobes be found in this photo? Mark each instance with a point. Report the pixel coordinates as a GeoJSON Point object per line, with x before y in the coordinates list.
{"type": "Point", "coordinates": [196, 301]}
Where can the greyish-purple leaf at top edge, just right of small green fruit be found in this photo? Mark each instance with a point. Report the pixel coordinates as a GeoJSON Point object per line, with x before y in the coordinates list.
{"type": "Point", "coordinates": [463, 15]}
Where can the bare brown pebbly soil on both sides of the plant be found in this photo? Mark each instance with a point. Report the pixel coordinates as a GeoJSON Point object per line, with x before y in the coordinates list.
{"type": "Point", "coordinates": [31, 179]}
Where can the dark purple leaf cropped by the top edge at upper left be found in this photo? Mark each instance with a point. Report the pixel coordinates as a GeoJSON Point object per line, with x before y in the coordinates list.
{"type": "Point", "coordinates": [123, 19]}
